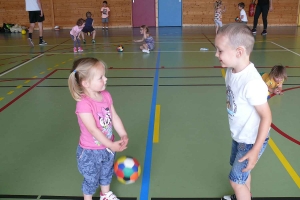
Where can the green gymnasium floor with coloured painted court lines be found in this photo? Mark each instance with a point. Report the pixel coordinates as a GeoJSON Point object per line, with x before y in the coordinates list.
{"type": "Point", "coordinates": [190, 155]}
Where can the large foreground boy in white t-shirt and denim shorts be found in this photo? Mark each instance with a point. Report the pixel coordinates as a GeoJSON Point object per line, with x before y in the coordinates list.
{"type": "Point", "coordinates": [247, 107]}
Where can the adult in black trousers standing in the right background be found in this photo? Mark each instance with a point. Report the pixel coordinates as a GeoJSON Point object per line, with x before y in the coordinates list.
{"type": "Point", "coordinates": [263, 6]}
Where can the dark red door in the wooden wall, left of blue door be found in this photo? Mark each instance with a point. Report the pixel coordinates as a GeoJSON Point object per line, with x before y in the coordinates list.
{"type": "Point", "coordinates": [143, 13]}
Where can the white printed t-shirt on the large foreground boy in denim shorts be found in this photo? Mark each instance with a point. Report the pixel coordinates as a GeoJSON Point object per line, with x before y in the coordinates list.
{"type": "Point", "coordinates": [244, 90]}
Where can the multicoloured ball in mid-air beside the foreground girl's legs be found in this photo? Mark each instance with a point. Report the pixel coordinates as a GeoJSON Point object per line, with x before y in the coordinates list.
{"type": "Point", "coordinates": [127, 169]}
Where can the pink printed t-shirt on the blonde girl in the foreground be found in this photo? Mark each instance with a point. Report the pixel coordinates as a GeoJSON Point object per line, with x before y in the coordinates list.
{"type": "Point", "coordinates": [102, 115]}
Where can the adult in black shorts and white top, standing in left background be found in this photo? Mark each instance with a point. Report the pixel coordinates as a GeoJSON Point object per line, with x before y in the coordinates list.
{"type": "Point", "coordinates": [36, 15]}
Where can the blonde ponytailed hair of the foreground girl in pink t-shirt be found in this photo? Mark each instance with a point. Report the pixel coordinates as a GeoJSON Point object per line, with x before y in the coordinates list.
{"type": "Point", "coordinates": [82, 70]}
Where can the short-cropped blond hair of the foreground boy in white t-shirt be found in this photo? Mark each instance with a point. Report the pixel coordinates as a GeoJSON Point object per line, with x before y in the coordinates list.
{"type": "Point", "coordinates": [238, 34]}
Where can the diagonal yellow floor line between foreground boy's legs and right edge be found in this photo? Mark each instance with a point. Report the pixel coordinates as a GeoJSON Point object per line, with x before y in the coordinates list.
{"type": "Point", "coordinates": [285, 162]}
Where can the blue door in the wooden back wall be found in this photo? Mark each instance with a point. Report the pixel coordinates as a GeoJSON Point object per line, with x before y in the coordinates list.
{"type": "Point", "coordinates": [169, 13]}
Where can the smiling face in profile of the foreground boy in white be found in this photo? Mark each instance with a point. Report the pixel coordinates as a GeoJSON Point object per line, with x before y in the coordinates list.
{"type": "Point", "coordinates": [226, 53]}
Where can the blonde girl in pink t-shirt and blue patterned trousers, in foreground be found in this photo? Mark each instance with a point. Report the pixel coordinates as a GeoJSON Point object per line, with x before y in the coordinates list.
{"type": "Point", "coordinates": [96, 117]}
